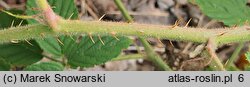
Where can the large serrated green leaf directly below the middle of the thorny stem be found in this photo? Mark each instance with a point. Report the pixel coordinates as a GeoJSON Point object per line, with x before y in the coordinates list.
{"type": "Point", "coordinates": [87, 54]}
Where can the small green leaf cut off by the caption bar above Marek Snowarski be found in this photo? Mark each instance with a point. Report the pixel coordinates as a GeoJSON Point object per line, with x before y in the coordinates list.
{"type": "Point", "coordinates": [45, 66]}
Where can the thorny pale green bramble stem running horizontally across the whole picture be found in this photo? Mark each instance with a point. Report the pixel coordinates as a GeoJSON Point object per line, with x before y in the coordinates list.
{"type": "Point", "coordinates": [74, 27]}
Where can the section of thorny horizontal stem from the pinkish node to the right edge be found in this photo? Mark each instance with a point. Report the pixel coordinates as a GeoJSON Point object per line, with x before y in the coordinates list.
{"type": "Point", "coordinates": [157, 31]}
